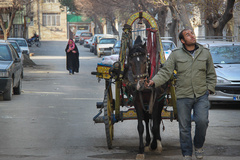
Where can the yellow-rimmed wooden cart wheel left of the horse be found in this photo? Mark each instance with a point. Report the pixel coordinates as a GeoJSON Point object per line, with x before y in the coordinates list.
{"type": "Point", "coordinates": [108, 112]}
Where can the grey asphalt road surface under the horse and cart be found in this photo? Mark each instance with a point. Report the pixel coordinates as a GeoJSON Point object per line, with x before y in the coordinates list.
{"type": "Point", "coordinates": [52, 118]}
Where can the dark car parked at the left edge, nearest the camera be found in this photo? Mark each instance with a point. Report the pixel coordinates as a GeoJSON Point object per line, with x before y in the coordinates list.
{"type": "Point", "coordinates": [11, 71]}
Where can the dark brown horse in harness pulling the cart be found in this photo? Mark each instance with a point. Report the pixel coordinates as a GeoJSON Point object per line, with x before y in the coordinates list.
{"type": "Point", "coordinates": [148, 101]}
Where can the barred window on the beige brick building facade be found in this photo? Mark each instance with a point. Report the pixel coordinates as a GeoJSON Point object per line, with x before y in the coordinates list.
{"type": "Point", "coordinates": [51, 19]}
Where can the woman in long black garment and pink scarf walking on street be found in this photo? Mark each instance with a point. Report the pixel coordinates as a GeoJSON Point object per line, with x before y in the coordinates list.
{"type": "Point", "coordinates": [72, 55]}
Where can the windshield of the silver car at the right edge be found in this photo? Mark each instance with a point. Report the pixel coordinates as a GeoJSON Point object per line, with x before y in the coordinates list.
{"type": "Point", "coordinates": [225, 54]}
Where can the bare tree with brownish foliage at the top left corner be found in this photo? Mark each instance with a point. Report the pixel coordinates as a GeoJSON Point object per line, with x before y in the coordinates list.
{"type": "Point", "coordinates": [9, 7]}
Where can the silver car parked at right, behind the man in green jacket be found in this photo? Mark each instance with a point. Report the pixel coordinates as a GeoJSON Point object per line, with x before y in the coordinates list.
{"type": "Point", "coordinates": [226, 58]}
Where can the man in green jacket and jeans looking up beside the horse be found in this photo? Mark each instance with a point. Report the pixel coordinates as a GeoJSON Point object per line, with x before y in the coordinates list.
{"type": "Point", "coordinates": [196, 78]}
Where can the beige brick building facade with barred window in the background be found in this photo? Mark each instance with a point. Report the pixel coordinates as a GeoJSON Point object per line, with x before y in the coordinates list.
{"type": "Point", "coordinates": [49, 20]}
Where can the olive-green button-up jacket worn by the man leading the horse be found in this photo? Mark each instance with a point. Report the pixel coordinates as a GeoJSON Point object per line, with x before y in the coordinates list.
{"type": "Point", "coordinates": [195, 75]}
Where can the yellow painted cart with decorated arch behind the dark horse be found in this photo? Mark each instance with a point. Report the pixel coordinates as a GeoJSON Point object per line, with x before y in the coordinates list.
{"type": "Point", "coordinates": [110, 109]}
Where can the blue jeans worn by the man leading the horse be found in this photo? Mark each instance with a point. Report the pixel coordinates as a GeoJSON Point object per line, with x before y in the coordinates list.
{"type": "Point", "coordinates": [200, 107]}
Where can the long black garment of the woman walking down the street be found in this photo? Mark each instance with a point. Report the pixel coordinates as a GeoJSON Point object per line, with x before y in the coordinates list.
{"type": "Point", "coordinates": [72, 61]}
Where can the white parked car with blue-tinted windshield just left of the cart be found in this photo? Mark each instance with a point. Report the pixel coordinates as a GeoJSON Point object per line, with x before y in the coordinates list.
{"type": "Point", "coordinates": [105, 46]}
